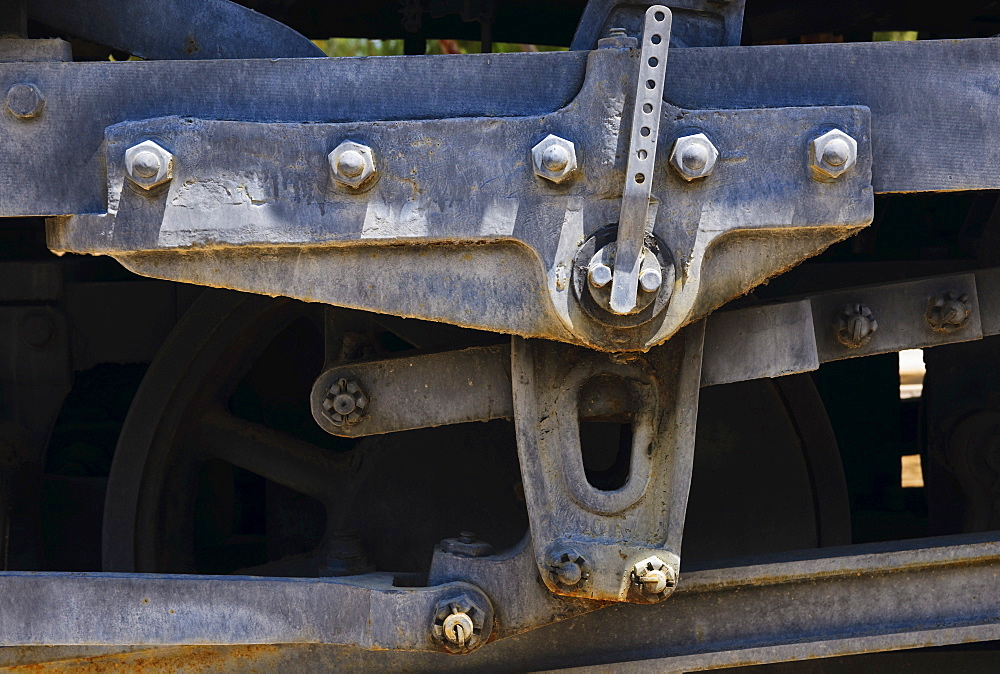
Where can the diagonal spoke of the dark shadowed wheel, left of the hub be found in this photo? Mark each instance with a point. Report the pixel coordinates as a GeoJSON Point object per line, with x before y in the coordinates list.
{"type": "Point", "coordinates": [272, 454]}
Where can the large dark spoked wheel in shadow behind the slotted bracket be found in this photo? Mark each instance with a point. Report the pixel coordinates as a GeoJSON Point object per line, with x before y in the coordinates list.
{"type": "Point", "coordinates": [220, 467]}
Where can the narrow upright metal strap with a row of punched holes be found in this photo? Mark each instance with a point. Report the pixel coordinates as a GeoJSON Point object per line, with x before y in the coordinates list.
{"type": "Point", "coordinates": [641, 158]}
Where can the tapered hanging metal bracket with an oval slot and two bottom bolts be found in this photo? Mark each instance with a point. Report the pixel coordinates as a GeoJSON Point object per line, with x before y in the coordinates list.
{"type": "Point", "coordinates": [621, 544]}
